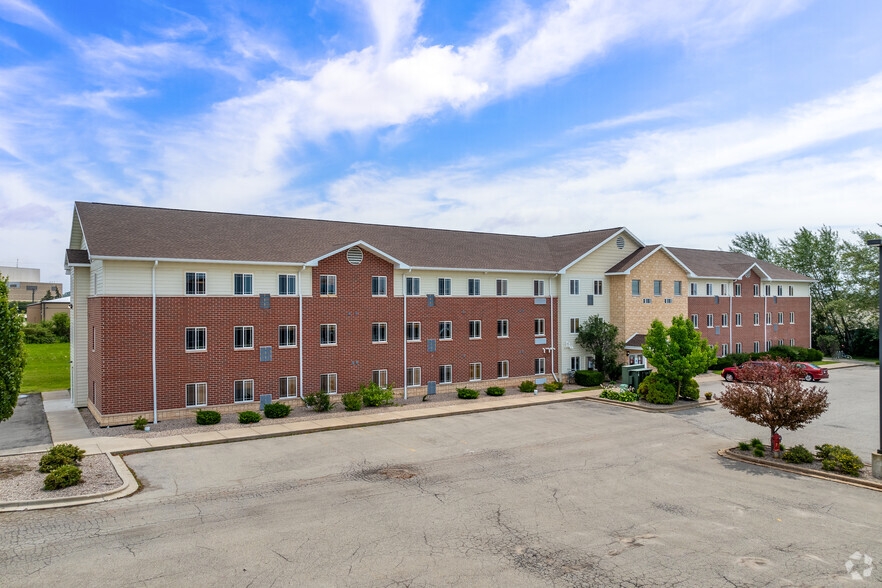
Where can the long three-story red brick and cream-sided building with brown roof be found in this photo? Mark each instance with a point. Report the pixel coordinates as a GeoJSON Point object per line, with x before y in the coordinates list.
{"type": "Point", "coordinates": [198, 309]}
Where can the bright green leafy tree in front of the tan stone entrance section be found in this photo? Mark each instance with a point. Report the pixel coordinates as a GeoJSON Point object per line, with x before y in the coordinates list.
{"type": "Point", "coordinates": [678, 352]}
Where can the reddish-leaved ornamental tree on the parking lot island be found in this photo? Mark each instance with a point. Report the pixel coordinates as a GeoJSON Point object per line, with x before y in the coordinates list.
{"type": "Point", "coordinates": [771, 394]}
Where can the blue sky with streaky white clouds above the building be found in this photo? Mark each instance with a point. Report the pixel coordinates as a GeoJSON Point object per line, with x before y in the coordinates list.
{"type": "Point", "coordinates": [687, 121]}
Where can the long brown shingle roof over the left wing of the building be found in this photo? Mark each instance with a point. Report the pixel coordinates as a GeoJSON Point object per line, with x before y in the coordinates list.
{"type": "Point", "coordinates": [113, 230]}
